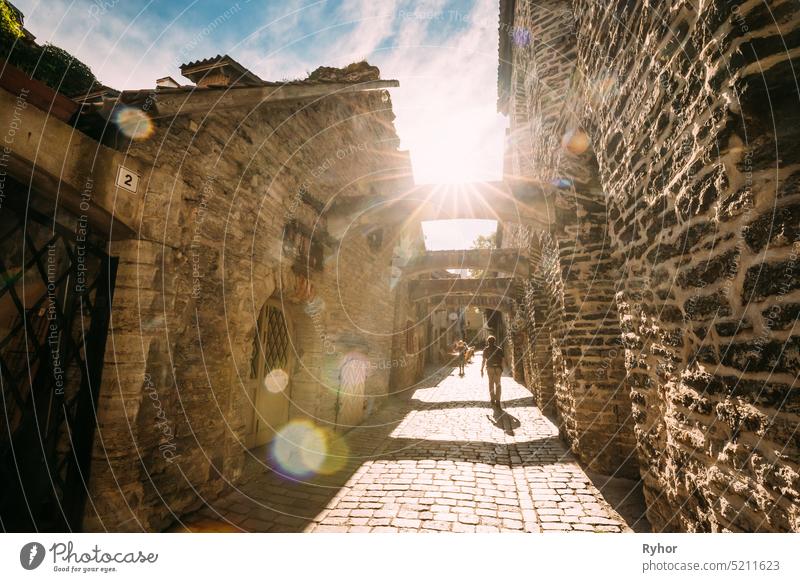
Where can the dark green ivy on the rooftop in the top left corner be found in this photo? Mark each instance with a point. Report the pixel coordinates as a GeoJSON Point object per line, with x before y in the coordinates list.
{"type": "Point", "coordinates": [49, 64]}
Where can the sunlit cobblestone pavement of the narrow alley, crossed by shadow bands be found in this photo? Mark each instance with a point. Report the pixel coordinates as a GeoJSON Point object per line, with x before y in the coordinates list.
{"type": "Point", "coordinates": [438, 461]}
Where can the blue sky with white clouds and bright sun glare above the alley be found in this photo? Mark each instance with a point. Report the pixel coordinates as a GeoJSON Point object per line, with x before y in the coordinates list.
{"type": "Point", "coordinates": [443, 52]}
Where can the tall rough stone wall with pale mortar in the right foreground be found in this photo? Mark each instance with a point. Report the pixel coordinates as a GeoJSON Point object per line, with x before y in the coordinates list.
{"type": "Point", "coordinates": [691, 112]}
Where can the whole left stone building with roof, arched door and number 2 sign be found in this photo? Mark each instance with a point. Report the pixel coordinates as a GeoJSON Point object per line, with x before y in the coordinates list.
{"type": "Point", "coordinates": [225, 268]}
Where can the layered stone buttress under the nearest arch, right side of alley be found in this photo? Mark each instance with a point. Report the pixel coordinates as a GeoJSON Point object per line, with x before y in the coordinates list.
{"type": "Point", "coordinates": [595, 396]}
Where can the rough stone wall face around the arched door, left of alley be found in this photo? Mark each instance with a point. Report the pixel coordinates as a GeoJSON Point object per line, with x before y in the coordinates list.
{"type": "Point", "coordinates": [216, 244]}
